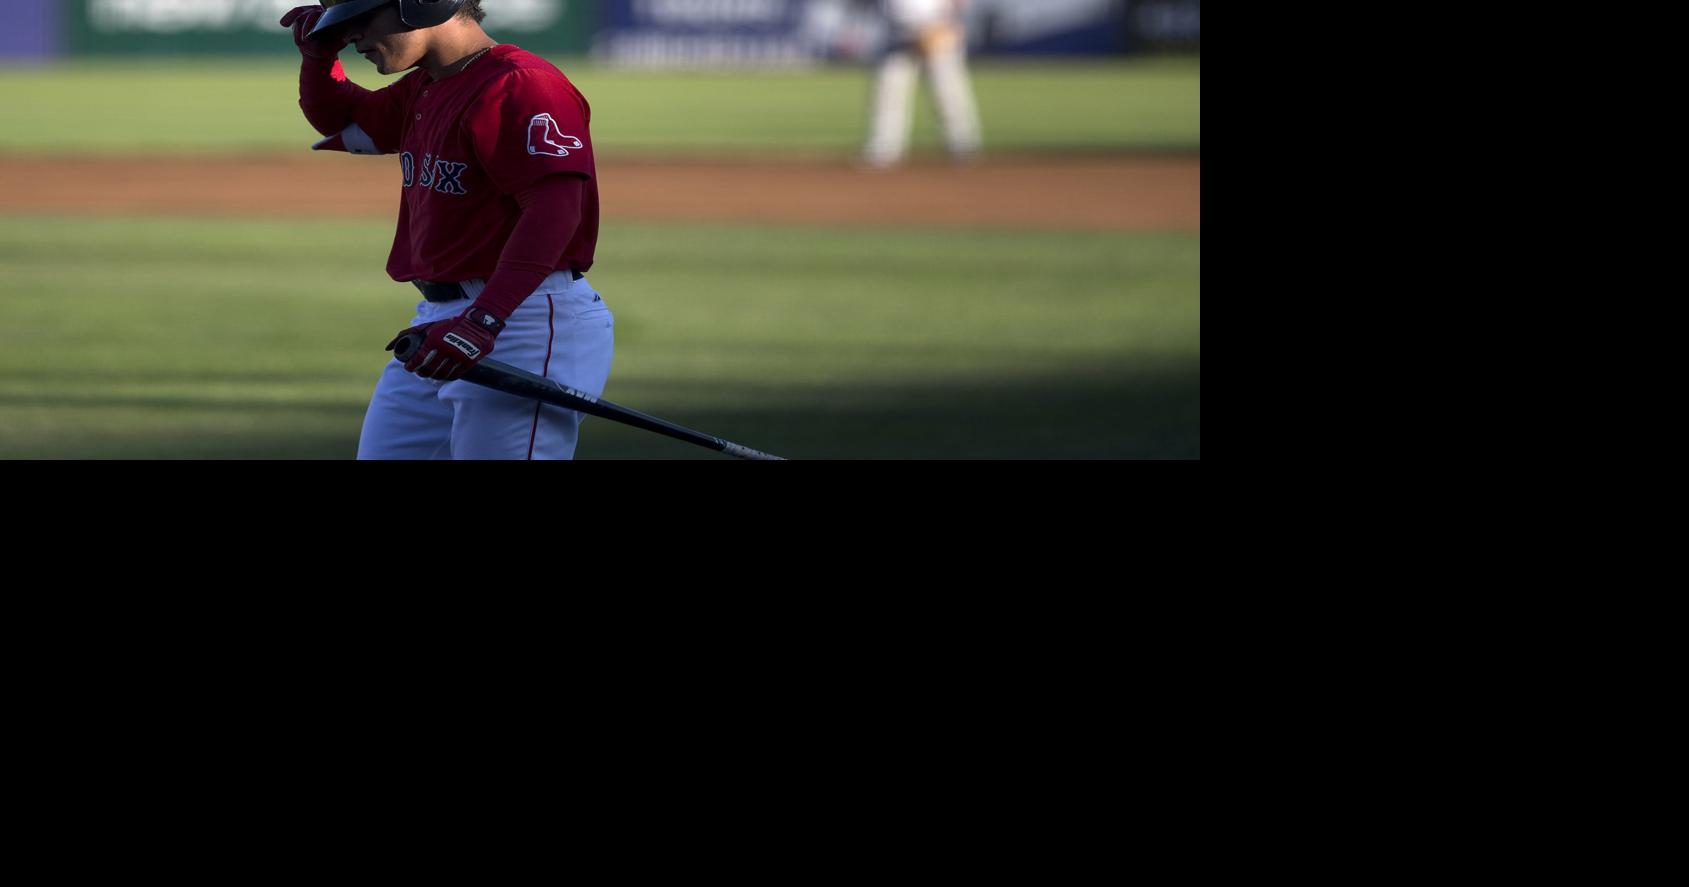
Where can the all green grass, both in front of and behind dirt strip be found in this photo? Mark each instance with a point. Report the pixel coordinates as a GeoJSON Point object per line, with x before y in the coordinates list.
{"type": "Point", "coordinates": [146, 337]}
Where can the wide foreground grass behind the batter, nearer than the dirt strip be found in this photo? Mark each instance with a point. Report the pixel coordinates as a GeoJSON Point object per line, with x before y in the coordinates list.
{"type": "Point", "coordinates": [197, 339]}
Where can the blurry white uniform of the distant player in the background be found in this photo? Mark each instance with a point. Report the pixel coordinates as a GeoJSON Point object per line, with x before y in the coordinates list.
{"type": "Point", "coordinates": [923, 33]}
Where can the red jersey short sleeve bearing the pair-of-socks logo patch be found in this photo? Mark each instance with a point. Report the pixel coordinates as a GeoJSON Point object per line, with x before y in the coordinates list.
{"type": "Point", "coordinates": [530, 126]}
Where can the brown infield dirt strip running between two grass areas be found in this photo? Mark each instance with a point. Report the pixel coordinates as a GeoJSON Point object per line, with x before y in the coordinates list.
{"type": "Point", "coordinates": [1031, 193]}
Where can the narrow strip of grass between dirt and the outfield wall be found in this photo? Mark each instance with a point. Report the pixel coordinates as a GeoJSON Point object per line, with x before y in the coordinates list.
{"type": "Point", "coordinates": [232, 107]}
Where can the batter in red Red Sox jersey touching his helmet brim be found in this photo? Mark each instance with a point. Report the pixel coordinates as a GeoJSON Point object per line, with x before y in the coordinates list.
{"type": "Point", "coordinates": [497, 222]}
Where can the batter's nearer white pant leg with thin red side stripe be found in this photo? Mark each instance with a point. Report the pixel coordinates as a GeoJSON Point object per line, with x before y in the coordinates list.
{"type": "Point", "coordinates": [567, 335]}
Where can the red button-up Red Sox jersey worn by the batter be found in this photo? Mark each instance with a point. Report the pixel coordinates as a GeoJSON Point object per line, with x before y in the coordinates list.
{"type": "Point", "coordinates": [467, 144]}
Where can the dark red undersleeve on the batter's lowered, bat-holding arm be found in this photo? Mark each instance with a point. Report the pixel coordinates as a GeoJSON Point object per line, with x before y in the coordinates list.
{"type": "Point", "coordinates": [551, 212]}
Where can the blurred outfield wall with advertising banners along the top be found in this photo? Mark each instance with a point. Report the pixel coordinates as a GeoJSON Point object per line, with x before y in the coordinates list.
{"type": "Point", "coordinates": [634, 33]}
